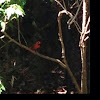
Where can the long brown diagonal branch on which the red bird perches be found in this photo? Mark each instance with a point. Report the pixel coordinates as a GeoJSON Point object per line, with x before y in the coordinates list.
{"type": "Point", "coordinates": [48, 58]}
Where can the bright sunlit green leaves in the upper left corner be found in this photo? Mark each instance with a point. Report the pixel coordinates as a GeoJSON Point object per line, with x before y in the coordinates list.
{"type": "Point", "coordinates": [10, 9]}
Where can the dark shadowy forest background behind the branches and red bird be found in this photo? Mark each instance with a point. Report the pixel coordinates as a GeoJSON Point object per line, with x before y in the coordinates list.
{"type": "Point", "coordinates": [32, 73]}
